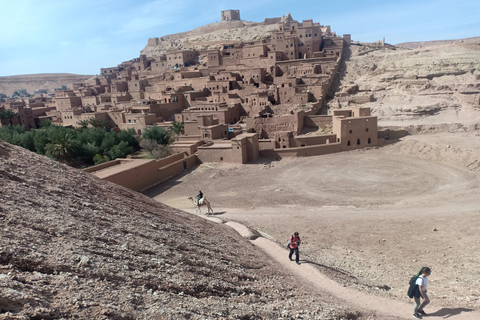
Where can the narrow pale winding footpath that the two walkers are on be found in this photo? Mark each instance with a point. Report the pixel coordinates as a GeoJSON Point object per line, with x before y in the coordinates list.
{"type": "Point", "coordinates": [380, 306]}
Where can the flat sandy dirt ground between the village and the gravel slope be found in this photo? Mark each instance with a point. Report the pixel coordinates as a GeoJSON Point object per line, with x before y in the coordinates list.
{"type": "Point", "coordinates": [368, 219]}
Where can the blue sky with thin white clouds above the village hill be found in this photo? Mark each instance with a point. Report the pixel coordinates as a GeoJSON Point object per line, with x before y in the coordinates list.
{"type": "Point", "coordinates": [82, 36]}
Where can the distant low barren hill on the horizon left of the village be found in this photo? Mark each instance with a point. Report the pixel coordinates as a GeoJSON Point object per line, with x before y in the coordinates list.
{"type": "Point", "coordinates": [33, 82]}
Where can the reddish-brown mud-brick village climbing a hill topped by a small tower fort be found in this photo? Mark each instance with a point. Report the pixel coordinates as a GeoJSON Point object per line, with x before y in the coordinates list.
{"type": "Point", "coordinates": [241, 94]}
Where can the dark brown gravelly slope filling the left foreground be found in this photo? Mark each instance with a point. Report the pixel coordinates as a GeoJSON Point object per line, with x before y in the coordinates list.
{"type": "Point", "coordinates": [73, 246]}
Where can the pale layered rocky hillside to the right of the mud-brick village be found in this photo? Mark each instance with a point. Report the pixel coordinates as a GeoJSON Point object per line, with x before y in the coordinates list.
{"type": "Point", "coordinates": [428, 83]}
